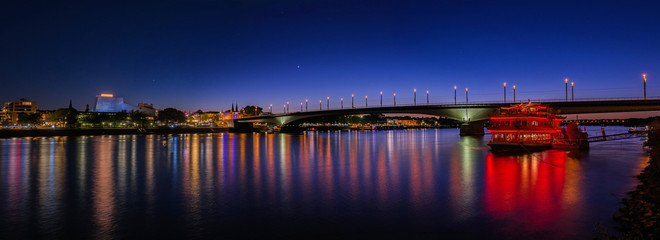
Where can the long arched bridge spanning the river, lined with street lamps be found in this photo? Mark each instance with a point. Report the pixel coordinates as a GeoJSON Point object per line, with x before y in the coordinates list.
{"type": "Point", "coordinates": [471, 115]}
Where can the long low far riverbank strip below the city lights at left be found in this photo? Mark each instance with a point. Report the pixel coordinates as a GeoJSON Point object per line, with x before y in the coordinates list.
{"type": "Point", "coordinates": [9, 133]}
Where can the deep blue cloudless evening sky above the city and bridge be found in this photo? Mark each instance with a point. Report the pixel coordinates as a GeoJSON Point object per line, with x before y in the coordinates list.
{"type": "Point", "coordinates": [208, 54]}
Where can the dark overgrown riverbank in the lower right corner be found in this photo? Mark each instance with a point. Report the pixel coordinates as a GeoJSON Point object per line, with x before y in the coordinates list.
{"type": "Point", "coordinates": [639, 218]}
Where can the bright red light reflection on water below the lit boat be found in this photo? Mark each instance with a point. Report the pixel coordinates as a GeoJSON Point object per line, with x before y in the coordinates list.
{"type": "Point", "coordinates": [530, 190]}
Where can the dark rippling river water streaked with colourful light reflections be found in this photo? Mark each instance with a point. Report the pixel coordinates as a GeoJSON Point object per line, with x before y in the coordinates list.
{"type": "Point", "coordinates": [400, 184]}
